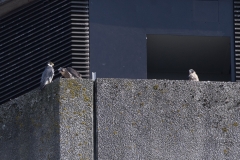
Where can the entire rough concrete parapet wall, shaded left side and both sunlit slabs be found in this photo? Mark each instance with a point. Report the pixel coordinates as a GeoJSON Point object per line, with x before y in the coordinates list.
{"type": "Point", "coordinates": [135, 119]}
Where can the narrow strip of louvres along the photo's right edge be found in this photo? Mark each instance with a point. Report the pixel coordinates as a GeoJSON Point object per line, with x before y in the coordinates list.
{"type": "Point", "coordinates": [237, 37]}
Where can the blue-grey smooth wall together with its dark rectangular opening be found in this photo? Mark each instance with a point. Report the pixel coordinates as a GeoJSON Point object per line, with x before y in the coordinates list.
{"type": "Point", "coordinates": [147, 38]}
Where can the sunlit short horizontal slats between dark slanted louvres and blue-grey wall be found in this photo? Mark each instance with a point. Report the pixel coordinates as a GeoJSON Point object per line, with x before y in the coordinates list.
{"type": "Point", "coordinates": [80, 36]}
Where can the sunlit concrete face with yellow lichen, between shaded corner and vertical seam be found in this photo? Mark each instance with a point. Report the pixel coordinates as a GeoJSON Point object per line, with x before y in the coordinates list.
{"type": "Point", "coordinates": [76, 119]}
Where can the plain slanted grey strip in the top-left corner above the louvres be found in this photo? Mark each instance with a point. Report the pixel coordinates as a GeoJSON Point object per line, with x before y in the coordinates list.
{"type": "Point", "coordinates": [11, 5]}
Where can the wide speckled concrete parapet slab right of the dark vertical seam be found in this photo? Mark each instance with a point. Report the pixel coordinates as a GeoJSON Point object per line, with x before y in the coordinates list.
{"type": "Point", "coordinates": [168, 120]}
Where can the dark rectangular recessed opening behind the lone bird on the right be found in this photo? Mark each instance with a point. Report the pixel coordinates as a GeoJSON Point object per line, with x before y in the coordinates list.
{"type": "Point", "coordinates": [170, 57]}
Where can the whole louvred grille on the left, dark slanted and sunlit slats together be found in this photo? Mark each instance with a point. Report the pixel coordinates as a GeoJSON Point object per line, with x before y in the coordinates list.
{"type": "Point", "coordinates": [42, 31]}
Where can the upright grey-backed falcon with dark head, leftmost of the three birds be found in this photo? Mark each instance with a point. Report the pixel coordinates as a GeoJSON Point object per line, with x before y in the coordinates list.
{"type": "Point", "coordinates": [47, 75]}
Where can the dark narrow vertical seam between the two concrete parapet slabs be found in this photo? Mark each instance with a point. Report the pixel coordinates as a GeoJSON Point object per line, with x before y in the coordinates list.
{"type": "Point", "coordinates": [95, 144]}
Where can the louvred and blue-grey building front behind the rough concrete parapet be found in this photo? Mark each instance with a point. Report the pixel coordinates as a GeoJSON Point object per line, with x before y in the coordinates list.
{"type": "Point", "coordinates": [154, 39]}
